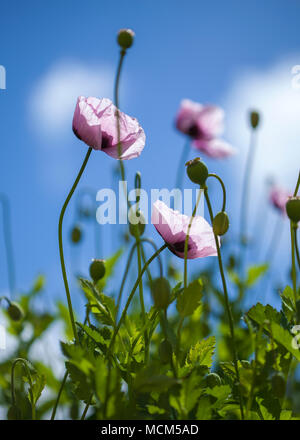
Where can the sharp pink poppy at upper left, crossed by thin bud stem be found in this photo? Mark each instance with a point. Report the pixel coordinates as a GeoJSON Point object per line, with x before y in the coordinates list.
{"type": "Point", "coordinates": [95, 123]}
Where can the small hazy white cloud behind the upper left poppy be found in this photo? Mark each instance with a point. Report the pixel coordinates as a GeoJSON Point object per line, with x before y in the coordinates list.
{"type": "Point", "coordinates": [52, 100]}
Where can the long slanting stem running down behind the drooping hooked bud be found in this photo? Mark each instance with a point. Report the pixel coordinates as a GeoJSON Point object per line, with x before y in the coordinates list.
{"type": "Point", "coordinates": [227, 305]}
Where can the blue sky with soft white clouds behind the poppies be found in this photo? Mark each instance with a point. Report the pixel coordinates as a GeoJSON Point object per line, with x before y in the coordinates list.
{"type": "Point", "coordinates": [216, 51]}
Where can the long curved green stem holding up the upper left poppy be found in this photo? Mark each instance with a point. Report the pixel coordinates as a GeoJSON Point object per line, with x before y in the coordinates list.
{"type": "Point", "coordinates": [60, 241]}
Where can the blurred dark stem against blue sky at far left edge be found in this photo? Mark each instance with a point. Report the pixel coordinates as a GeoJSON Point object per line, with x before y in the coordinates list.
{"type": "Point", "coordinates": [8, 242]}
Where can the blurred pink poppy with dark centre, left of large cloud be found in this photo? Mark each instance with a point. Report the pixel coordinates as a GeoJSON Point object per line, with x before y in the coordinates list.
{"type": "Point", "coordinates": [204, 125]}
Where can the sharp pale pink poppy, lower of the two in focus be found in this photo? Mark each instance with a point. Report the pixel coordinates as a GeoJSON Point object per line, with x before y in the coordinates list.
{"type": "Point", "coordinates": [173, 226]}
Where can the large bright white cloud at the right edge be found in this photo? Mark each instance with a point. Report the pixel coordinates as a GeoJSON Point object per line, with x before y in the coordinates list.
{"type": "Point", "coordinates": [270, 91]}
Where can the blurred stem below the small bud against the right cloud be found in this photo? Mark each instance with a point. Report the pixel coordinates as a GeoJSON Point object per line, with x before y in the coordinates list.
{"type": "Point", "coordinates": [245, 197]}
